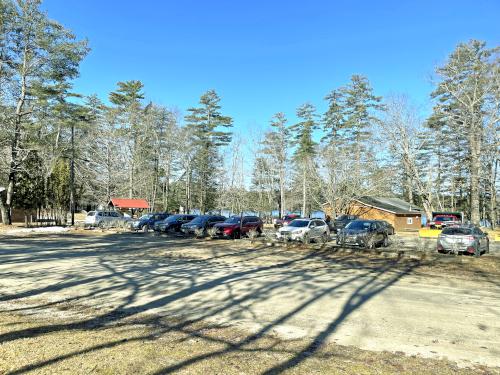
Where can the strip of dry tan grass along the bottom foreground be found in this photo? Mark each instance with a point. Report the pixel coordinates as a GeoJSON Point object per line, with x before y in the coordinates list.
{"type": "Point", "coordinates": [143, 347]}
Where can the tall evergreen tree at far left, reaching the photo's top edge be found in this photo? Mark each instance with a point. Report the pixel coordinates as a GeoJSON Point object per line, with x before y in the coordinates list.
{"type": "Point", "coordinates": [40, 57]}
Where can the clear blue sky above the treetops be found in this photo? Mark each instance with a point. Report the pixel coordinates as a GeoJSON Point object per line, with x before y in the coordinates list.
{"type": "Point", "coordinates": [268, 56]}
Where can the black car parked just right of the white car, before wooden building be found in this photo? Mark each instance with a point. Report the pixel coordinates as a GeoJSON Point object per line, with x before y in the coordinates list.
{"type": "Point", "coordinates": [364, 233]}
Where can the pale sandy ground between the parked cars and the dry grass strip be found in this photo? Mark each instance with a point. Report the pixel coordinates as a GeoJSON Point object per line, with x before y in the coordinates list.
{"type": "Point", "coordinates": [448, 308]}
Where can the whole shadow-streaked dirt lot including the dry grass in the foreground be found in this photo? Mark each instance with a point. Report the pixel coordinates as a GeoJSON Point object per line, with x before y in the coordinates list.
{"type": "Point", "coordinates": [122, 303]}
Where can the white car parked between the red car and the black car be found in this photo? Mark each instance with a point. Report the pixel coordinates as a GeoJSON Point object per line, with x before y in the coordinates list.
{"type": "Point", "coordinates": [305, 230]}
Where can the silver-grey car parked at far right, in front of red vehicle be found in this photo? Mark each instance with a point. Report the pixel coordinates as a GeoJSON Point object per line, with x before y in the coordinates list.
{"type": "Point", "coordinates": [463, 239]}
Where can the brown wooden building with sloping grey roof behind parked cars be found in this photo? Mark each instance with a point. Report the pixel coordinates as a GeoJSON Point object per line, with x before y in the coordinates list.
{"type": "Point", "coordinates": [402, 215]}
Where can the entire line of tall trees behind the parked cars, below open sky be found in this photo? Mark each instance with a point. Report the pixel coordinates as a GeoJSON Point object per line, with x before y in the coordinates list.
{"type": "Point", "coordinates": [61, 150]}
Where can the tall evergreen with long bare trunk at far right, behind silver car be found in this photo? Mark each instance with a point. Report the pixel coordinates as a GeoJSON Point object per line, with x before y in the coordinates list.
{"type": "Point", "coordinates": [462, 94]}
